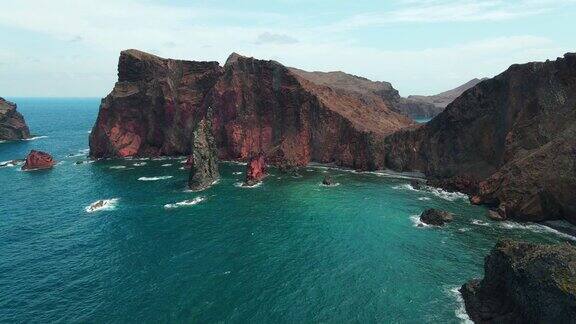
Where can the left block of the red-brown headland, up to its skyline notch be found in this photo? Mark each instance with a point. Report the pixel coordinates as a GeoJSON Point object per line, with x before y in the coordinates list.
{"type": "Point", "coordinates": [153, 107]}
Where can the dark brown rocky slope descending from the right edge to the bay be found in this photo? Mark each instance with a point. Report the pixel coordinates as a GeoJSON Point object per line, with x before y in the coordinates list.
{"type": "Point", "coordinates": [512, 135]}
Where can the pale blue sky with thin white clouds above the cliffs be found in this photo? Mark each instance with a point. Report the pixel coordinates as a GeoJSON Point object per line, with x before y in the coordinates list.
{"type": "Point", "coordinates": [70, 48]}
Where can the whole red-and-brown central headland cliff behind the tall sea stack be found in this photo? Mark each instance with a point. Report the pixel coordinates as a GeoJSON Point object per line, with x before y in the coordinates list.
{"type": "Point", "coordinates": [258, 106]}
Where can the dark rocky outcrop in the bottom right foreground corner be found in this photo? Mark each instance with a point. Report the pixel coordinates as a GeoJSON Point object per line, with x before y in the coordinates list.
{"type": "Point", "coordinates": [524, 283]}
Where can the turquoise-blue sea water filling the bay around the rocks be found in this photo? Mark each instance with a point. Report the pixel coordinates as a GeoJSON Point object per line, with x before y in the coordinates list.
{"type": "Point", "coordinates": [287, 251]}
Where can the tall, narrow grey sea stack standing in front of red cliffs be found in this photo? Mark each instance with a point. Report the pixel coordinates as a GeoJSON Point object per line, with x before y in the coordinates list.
{"type": "Point", "coordinates": [204, 158]}
